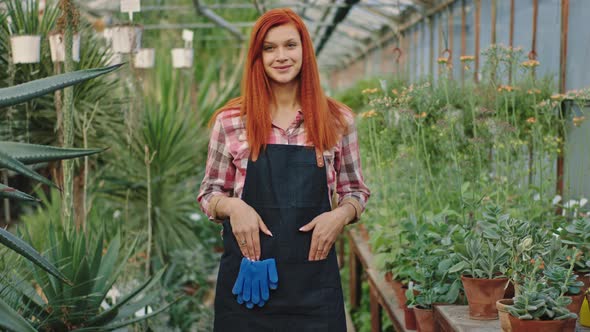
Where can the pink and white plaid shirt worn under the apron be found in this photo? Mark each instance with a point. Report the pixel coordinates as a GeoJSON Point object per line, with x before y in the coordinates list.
{"type": "Point", "coordinates": [225, 172]}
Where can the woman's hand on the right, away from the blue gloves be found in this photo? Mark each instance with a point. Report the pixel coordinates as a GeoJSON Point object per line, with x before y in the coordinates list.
{"type": "Point", "coordinates": [326, 228]}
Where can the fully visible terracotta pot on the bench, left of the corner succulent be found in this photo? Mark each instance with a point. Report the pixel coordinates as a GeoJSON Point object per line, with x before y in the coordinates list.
{"type": "Point", "coordinates": [482, 295]}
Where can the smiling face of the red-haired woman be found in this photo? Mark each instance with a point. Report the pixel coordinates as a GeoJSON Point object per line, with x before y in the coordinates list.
{"type": "Point", "coordinates": [282, 53]}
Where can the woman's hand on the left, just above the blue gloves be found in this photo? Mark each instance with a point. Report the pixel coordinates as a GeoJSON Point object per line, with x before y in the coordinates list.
{"type": "Point", "coordinates": [246, 225]}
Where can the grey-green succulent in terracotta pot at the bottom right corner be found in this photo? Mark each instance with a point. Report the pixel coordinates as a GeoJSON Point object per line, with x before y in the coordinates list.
{"type": "Point", "coordinates": [539, 306]}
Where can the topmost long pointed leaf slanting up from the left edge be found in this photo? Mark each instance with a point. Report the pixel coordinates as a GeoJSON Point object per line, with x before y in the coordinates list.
{"type": "Point", "coordinates": [27, 91]}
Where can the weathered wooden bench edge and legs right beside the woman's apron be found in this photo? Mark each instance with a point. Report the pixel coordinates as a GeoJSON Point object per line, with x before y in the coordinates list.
{"type": "Point", "coordinates": [380, 293]}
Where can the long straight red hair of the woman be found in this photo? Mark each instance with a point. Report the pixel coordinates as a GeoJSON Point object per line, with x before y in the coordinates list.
{"type": "Point", "coordinates": [324, 117]}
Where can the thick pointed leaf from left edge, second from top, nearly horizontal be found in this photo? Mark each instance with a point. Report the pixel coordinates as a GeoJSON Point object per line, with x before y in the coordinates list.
{"type": "Point", "coordinates": [34, 153]}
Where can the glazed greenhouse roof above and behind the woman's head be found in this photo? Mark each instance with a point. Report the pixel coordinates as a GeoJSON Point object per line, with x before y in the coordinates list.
{"type": "Point", "coordinates": [342, 30]}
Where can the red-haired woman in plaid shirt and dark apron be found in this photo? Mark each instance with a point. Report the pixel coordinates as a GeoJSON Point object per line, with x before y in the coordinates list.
{"type": "Point", "coordinates": [277, 155]}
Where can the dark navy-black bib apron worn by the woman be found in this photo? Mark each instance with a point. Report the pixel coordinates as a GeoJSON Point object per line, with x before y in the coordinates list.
{"type": "Point", "coordinates": [288, 190]}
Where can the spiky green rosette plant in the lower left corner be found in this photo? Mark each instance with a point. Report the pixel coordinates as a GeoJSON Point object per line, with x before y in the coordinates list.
{"type": "Point", "coordinates": [93, 267]}
